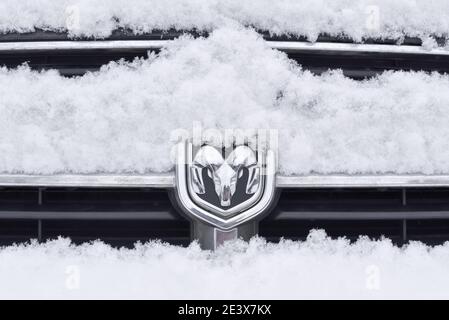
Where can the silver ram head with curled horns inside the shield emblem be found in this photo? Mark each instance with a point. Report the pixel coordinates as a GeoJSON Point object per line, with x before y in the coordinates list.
{"type": "Point", "coordinates": [225, 172]}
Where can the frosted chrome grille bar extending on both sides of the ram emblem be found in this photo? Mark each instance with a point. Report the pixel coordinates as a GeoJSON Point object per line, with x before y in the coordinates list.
{"type": "Point", "coordinates": [168, 181]}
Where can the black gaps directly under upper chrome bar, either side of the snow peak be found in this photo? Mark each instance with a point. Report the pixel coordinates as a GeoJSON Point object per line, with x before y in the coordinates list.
{"type": "Point", "coordinates": [355, 65]}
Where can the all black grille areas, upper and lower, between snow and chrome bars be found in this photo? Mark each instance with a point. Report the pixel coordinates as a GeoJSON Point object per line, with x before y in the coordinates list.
{"type": "Point", "coordinates": [121, 216]}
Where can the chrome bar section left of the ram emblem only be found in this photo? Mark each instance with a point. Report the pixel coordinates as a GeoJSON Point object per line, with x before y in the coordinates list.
{"type": "Point", "coordinates": [129, 181]}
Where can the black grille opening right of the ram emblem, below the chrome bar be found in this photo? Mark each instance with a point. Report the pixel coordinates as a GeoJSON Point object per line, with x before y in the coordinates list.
{"type": "Point", "coordinates": [400, 214]}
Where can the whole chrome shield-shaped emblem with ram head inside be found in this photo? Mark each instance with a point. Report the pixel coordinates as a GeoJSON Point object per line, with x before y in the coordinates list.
{"type": "Point", "coordinates": [224, 187]}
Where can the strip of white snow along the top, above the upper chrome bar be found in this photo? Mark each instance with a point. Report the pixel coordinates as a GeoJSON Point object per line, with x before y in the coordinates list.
{"type": "Point", "coordinates": [378, 18]}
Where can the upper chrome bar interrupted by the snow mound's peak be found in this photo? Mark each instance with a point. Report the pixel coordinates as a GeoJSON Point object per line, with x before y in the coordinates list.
{"type": "Point", "coordinates": [158, 44]}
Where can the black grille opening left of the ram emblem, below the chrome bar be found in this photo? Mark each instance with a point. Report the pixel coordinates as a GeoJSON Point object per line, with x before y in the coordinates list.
{"type": "Point", "coordinates": [119, 216]}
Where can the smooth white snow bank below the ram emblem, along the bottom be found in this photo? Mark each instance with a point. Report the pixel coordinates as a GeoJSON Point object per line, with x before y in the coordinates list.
{"type": "Point", "coordinates": [317, 268]}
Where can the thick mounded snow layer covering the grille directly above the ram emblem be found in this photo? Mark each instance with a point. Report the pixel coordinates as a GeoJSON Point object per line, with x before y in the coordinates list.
{"type": "Point", "coordinates": [122, 118]}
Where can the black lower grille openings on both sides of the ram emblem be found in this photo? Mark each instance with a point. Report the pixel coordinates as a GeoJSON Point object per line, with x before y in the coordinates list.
{"type": "Point", "coordinates": [122, 216]}
